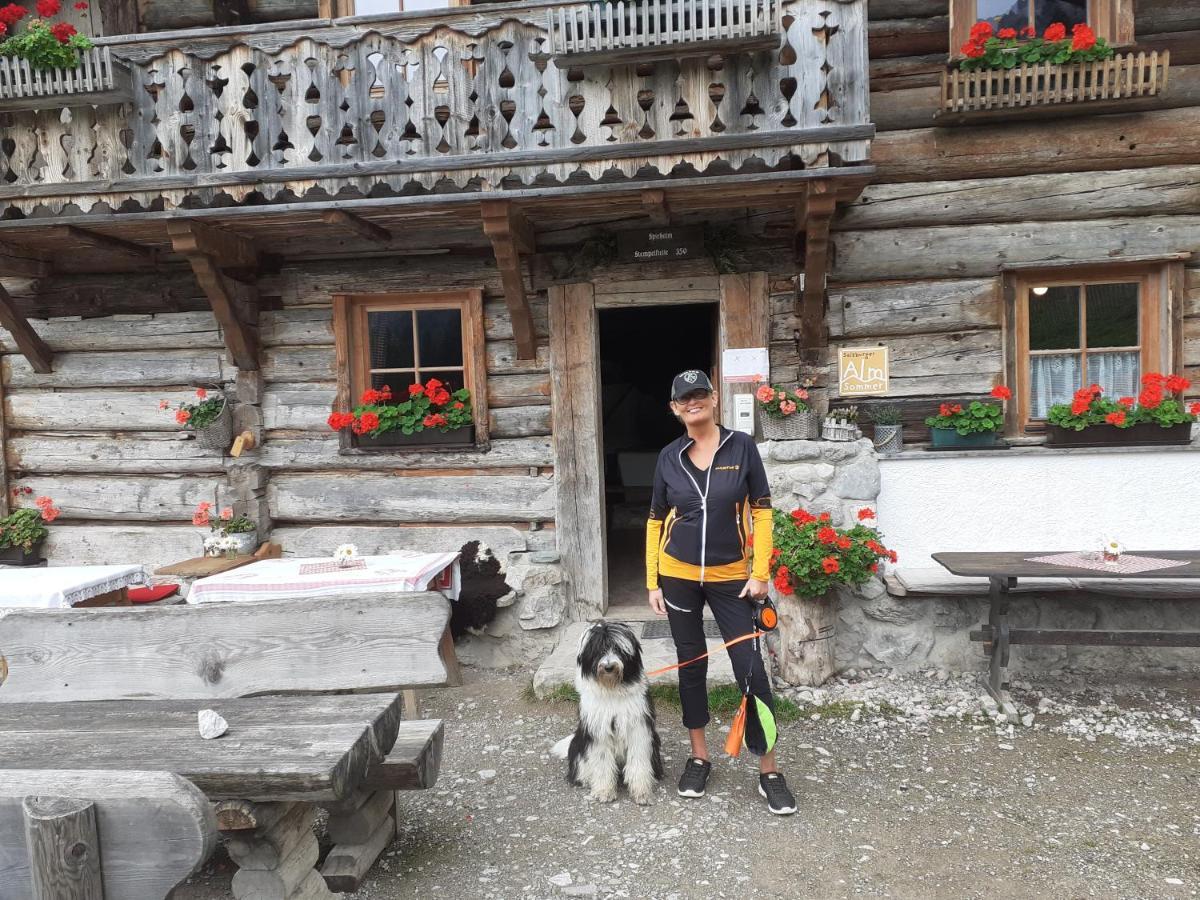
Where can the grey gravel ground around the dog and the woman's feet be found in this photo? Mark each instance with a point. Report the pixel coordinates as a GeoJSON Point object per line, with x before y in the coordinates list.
{"type": "Point", "coordinates": [909, 788]}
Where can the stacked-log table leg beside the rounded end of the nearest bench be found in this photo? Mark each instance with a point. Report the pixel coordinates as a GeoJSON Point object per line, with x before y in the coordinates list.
{"type": "Point", "coordinates": [277, 861]}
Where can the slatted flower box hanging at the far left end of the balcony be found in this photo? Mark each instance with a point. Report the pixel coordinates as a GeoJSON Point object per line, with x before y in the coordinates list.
{"type": "Point", "coordinates": [98, 80]}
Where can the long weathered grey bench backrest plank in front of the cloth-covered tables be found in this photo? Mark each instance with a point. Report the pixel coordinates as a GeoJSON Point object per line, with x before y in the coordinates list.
{"type": "Point", "coordinates": [380, 644]}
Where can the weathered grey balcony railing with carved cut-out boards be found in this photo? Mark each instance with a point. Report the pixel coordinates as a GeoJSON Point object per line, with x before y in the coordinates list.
{"type": "Point", "coordinates": [458, 100]}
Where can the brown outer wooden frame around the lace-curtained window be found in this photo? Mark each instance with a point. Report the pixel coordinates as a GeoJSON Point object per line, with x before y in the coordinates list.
{"type": "Point", "coordinates": [1159, 331]}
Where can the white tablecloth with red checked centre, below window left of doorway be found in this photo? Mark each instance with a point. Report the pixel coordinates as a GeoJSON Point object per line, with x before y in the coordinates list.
{"type": "Point", "coordinates": [283, 580]}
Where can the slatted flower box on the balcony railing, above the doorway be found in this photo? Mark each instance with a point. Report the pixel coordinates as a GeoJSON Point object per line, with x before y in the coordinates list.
{"type": "Point", "coordinates": [638, 31]}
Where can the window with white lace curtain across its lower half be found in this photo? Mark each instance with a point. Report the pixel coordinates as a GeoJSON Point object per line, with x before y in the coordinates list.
{"type": "Point", "coordinates": [1078, 328]}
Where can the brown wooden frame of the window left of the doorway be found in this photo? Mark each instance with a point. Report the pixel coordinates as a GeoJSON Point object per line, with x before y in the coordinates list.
{"type": "Point", "coordinates": [352, 356]}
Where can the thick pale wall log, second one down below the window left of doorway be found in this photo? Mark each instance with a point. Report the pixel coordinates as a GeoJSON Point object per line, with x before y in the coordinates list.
{"type": "Point", "coordinates": [369, 497]}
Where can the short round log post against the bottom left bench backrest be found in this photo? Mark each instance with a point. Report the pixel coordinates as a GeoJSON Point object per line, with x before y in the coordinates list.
{"type": "Point", "coordinates": [64, 849]}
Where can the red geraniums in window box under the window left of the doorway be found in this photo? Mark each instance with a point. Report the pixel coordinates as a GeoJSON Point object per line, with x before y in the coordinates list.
{"type": "Point", "coordinates": [431, 415]}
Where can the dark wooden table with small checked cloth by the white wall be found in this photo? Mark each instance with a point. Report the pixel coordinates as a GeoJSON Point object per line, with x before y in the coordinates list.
{"type": "Point", "coordinates": [1004, 569]}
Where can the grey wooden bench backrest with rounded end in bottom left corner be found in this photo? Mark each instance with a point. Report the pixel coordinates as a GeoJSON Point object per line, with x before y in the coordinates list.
{"type": "Point", "coordinates": [125, 836]}
